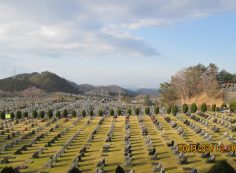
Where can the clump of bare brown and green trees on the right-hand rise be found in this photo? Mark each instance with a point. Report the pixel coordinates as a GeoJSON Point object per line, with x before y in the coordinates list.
{"type": "Point", "coordinates": [193, 81]}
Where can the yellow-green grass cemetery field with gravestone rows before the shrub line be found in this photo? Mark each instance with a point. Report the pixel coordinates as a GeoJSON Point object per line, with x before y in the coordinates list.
{"type": "Point", "coordinates": [100, 143]}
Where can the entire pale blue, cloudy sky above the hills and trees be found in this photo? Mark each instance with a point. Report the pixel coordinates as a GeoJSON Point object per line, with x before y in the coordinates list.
{"type": "Point", "coordinates": [134, 44]}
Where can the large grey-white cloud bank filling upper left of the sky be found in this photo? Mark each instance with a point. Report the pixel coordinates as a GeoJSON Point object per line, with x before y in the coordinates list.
{"type": "Point", "coordinates": [56, 28]}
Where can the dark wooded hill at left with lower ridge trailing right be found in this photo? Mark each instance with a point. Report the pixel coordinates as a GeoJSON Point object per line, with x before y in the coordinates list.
{"type": "Point", "coordinates": [33, 84]}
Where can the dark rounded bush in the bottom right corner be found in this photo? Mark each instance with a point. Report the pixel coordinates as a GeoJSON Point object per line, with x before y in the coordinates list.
{"type": "Point", "coordinates": [221, 167]}
